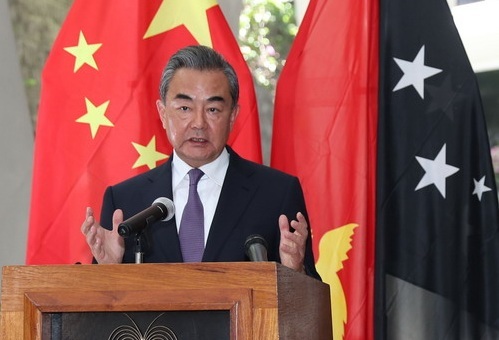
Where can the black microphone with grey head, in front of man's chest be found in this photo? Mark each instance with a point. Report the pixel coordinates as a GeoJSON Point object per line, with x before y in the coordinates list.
{"type": "Point", "coordinates": [161, 209]}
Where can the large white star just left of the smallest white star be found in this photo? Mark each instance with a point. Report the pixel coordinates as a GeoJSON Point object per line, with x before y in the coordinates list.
{"type": "Point", "coordinates": [436, 171]}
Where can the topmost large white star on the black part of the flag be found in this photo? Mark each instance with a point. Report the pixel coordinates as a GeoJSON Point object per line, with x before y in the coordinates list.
{"type": "Point", "coordinates": [415, 72]}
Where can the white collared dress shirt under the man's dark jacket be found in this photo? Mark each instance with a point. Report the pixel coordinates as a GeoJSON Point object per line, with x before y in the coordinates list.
{"type": "Point", "coordinates": [209, 187]}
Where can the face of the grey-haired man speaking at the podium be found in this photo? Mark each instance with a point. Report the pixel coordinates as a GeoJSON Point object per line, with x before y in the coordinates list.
{"type": "Point", "coordinates": [197, 115]}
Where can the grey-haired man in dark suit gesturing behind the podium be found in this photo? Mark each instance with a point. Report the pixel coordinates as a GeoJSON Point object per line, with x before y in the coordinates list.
{"type": "Point", "coordinates": [198, 107]}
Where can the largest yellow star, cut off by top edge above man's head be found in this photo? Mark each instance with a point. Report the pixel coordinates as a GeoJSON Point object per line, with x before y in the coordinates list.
{"type": "Point", "coordinates": [191, 13]}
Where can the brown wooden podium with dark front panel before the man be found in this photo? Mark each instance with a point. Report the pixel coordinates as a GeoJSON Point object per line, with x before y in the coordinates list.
{"type": "Point", "coordinates": [261, 300]}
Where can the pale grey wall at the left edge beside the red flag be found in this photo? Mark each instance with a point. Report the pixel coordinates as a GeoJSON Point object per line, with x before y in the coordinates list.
{"type": "Point", "coordinates": [16, 149]}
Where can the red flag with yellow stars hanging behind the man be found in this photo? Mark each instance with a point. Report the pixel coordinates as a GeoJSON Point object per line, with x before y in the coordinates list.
{"type": "Point", "coordinates": [98, 123]}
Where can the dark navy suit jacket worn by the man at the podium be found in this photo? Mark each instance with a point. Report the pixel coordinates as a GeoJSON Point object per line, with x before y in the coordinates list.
{"type": "Point", "coordinates": [252, 198]}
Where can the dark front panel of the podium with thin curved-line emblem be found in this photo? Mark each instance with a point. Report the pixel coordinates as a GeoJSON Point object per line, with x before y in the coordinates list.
{"type": "Point", "coordinates": [207, 325]}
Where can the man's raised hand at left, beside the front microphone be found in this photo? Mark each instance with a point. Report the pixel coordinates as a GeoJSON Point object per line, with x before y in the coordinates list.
{"type": "Point", "coordinates": [106, 246]}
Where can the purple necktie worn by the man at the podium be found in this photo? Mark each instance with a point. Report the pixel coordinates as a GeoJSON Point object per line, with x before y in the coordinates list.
{"type": "Point", "coordinates": [191, 232]}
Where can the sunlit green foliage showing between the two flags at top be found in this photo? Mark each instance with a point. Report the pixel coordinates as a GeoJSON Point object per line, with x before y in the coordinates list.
{"type": "Point", "coordinates": [267, 29]}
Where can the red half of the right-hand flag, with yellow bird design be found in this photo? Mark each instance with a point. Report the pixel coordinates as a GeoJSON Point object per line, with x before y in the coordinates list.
{"type": "Point", "coordinates": [325, 133]}
